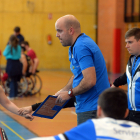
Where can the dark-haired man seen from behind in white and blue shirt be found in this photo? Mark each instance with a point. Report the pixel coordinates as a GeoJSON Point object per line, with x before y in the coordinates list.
{"type": "Point", "coordinates": [112, 109]}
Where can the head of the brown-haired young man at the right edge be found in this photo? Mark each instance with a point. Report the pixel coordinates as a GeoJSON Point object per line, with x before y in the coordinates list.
{"type": "Point", "coordinates": [132, 39]}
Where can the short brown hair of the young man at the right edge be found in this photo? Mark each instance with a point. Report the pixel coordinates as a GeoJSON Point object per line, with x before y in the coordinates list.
{"type": "Point", "coordinates": [133, 32]}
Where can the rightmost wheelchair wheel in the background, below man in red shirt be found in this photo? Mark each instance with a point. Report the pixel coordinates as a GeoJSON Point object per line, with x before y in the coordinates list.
{"type": "Point", "coordinates": [37, 84]}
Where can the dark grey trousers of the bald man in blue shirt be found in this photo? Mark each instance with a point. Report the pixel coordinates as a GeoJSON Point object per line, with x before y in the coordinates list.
{"type": "Point", "coordinates": [84, 116]}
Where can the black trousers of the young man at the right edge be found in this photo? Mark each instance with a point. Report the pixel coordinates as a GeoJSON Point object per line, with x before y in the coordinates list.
{"type": "Point", "coordinates": [134, 116]}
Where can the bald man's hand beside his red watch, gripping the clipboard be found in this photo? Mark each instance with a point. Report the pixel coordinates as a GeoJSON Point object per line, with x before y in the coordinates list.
{"type": "Point", "coordinates": [62, 96]}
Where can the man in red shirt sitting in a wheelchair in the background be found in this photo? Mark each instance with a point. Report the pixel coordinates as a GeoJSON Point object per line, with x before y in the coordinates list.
{"type": "Point", "coordinates": [32, 55]}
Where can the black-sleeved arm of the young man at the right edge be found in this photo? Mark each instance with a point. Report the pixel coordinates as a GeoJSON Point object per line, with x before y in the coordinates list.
{"type": "Point", "coordinates": [122, 80]}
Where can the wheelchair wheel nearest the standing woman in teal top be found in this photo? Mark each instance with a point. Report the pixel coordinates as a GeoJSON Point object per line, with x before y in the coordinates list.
{"type": "Point", "coordinates": [22, 86]}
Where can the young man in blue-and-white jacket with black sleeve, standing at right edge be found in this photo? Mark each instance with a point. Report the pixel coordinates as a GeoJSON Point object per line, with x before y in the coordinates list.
{"type": "Point", "coordinates": [131, 76]}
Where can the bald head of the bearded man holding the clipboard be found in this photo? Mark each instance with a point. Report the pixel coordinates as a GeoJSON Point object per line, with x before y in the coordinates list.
{"type": "Point", "coordinates": [68, 29]}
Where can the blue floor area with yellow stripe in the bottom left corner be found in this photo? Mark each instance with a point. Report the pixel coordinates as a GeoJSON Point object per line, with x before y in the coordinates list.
{"type": "Point", "coordinates": [22, 132]}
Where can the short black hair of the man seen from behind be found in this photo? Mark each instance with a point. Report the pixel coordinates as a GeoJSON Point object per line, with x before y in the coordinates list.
{"type": "Point", "coordinates": [113, 102]}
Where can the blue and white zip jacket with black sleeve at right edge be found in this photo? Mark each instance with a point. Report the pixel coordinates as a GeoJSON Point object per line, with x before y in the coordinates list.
{"type": "Point", "coordinates": [132, 78]}
